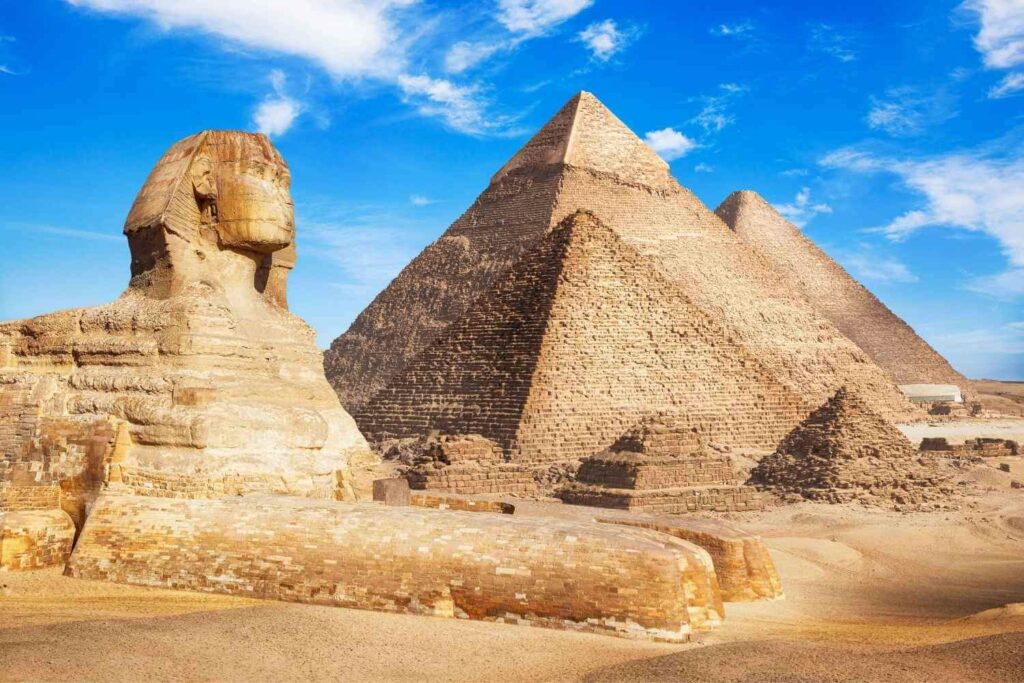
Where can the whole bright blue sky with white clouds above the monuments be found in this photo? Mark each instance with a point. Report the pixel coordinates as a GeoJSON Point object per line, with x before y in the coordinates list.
{"type": "Point", "coordinates": [892, 133]}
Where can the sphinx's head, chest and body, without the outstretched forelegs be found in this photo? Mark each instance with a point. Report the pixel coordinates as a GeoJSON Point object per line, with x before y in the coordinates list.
{"type": "Point", "coordinates": [197, 382]}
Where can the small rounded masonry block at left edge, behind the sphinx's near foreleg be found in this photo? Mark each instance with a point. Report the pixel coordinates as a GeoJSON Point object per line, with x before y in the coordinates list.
{"type": "Point", "coordinates": [35, 539]}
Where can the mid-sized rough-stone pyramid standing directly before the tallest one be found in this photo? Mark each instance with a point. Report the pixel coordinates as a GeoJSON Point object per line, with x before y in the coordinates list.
{"type": "Point", "coordinates": [577, 343]}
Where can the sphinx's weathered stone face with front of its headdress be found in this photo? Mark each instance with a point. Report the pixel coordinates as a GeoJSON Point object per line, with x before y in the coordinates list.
{"type": "Point", "coordinates": [244, 192]}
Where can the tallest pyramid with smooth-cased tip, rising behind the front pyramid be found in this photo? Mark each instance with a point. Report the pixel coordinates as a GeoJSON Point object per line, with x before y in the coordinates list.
{"type": "Point", "coordinates": [585, 158]}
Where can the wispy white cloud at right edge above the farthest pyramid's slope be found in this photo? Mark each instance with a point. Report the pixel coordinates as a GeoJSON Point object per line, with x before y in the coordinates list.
{"type": "Point", "coordinates": [969, 191]}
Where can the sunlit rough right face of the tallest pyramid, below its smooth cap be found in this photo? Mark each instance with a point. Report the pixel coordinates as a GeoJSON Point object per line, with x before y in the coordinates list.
{"type": "Point", "coordinates": [713, 267]}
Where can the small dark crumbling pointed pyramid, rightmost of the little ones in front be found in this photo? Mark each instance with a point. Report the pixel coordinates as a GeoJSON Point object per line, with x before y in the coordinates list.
{"type": "Point", "coordinates": [845, 452]}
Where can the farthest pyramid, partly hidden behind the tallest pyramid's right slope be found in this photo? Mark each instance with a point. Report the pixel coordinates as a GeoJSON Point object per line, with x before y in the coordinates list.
{"type": "Point", "coordinates": [835, 294]}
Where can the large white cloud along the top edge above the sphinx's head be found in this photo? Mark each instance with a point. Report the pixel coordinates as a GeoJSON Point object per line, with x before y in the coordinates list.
{"type": "Point", "coordinates": [350, 38]}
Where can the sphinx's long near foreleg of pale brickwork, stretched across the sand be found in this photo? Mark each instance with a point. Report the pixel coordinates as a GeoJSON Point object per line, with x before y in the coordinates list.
{"type": "Point", "coordinates": [577, 576]}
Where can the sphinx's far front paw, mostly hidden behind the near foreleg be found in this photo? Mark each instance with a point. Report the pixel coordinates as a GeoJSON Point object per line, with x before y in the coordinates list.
{"type": "Point", "coordinates": [743, 564]}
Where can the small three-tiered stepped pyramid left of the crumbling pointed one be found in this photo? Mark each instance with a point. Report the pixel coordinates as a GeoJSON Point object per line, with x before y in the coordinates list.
{"type": "Point", "coordinates": [662, 465]}
